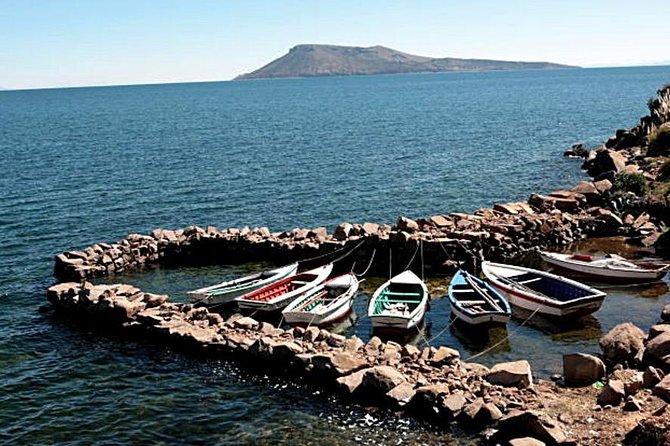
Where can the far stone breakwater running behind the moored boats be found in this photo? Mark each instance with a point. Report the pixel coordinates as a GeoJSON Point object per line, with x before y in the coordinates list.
{"type": "Point", "coordinates": [502, 233]}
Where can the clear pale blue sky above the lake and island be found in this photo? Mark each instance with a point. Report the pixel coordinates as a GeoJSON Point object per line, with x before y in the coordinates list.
{"type": "Point", "coordinates": [46, 43]}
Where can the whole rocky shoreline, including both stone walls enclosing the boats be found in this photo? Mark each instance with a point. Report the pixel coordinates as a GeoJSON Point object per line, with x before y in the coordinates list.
{"type": "Point", "coordinates": [503, 402]}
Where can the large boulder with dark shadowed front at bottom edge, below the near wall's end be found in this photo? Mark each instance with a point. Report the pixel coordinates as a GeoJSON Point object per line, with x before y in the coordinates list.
{"type": "Point", "coordinates": [530, 423]}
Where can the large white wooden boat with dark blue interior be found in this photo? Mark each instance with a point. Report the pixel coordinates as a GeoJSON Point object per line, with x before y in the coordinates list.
{"type": "Point", "coordinates": [549, 294]}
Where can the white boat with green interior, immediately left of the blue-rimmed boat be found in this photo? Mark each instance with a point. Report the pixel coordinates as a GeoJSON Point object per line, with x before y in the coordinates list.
{"type": "Point", "coordinates": [400, 303]}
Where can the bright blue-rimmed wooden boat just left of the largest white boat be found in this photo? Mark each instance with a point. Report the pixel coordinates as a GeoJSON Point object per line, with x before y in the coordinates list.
{"type": "Point", "coordinates": [476, 302]}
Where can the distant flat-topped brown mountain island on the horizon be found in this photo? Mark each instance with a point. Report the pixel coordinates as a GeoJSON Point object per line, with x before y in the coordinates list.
{"type": "Point", "coordinates": [332, 60]}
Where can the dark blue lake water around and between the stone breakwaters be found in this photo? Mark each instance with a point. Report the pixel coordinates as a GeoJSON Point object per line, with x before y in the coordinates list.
{"type": "Point", "coordinates": [81, 166]}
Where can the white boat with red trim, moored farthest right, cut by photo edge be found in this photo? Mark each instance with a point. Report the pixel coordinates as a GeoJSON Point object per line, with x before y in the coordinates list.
{"type": "Point", "coordinates": [610, 268]}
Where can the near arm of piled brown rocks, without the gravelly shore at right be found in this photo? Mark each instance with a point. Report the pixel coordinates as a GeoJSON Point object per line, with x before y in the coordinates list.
{"type": "Point", "coordinates": [431, 383]}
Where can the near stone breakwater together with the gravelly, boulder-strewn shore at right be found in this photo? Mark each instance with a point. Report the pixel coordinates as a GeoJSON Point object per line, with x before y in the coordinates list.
{"type": "Point", "coordinates": [503, 402]}
